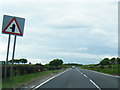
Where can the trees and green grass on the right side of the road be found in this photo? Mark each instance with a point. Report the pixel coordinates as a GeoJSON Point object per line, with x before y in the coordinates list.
{"type": "Point", "coordinates": [110, 66]}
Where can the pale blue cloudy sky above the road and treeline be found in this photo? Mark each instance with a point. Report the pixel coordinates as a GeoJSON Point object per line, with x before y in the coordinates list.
{"type": "Point", "coordinates": [76, 31]}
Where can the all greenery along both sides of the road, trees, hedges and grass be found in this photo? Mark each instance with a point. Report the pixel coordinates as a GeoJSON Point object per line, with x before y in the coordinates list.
{"type": "Point", "coordinates": [23, 72]}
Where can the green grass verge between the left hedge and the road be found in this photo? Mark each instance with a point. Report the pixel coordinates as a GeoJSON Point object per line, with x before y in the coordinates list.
{"type": "Point", "coordinates": [19, 80]}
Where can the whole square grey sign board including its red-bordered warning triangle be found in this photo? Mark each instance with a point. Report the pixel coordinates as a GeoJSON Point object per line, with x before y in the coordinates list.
{"type": "Point", "coordinates": [13, 25]}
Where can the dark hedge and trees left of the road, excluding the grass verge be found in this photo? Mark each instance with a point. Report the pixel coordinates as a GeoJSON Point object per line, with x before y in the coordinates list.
{"type": "Point", "coordinates": [20, 68]}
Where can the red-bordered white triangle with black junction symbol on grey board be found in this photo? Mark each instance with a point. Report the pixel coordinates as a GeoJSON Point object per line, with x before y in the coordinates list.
{"type": "Point", "coordinates": [13, 28]}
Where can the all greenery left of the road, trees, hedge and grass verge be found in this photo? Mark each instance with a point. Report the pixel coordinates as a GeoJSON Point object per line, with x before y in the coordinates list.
{"type": "Point", "coordinates": [26, 72]}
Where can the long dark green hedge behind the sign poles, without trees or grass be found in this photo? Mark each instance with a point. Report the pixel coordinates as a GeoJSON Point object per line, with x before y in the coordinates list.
{"type": "Point", "coordinates": [21, 70]}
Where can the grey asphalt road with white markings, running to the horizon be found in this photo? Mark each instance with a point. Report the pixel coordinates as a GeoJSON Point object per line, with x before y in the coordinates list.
{"type": "Point", "coordinates": [81, 78]}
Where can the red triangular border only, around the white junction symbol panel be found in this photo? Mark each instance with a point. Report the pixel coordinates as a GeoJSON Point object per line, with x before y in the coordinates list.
{"type": "Point", "coordinates": [12, 32]}
